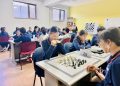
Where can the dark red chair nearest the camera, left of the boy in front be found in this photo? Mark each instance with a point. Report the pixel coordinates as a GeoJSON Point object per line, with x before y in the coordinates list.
{"type": "Point", "coordinates": [26, 48]}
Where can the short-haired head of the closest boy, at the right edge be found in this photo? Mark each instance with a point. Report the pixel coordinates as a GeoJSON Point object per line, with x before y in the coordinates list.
{"type": "Point", "coordinates": [110, 39]}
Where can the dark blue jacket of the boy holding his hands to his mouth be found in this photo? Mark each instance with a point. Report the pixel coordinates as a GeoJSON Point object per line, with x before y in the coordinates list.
{"type": "Point", "coordinates": [52, 51]}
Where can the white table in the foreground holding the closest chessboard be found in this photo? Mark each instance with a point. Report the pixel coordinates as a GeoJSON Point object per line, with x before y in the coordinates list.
{"type": "Point", "coordinates": [53, 74]}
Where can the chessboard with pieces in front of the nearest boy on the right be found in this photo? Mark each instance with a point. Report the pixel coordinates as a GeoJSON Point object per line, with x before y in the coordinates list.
{"type": "Point", "coordinates": [72, 64]}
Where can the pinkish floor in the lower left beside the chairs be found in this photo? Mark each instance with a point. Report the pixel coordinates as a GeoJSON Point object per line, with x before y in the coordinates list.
{"type": "Point", "coordinates": [11, 75]}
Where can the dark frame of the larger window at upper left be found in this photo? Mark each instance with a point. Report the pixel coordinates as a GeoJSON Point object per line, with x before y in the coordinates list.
{"type": "Point", "coordinates": [28, 4]}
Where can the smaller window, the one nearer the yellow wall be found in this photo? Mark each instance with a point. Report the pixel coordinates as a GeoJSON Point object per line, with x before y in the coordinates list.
{"type": "Point", "coordinates": [58, 14]}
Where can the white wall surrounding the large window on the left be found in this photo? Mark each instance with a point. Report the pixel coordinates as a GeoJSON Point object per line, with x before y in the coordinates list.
{"type": "Point", "coordinates": [44, 17]}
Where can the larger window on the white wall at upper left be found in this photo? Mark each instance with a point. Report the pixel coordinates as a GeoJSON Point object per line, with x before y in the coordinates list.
{"type": "Point", "coordinates": [24, 10]}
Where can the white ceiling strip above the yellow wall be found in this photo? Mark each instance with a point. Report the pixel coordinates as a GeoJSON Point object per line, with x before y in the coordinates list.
{"type": "Point", "coordinates": [66, 2]}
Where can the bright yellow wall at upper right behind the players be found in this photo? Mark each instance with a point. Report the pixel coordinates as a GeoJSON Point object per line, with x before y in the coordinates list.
{"type": "Point", "coordinates": [95, 12]}
